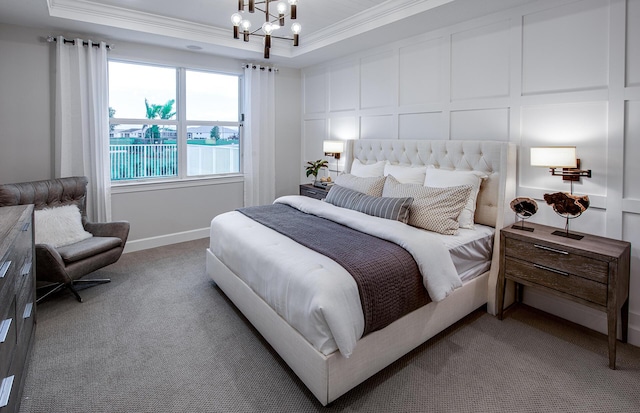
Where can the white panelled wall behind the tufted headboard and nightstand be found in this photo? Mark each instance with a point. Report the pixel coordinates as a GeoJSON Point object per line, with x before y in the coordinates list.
{"type": "Point", "coordinates": [557, 72]}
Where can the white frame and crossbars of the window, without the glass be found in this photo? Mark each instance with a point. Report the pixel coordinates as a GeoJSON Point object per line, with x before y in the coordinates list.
{"type": "Point", "coordinates": [181, 124]}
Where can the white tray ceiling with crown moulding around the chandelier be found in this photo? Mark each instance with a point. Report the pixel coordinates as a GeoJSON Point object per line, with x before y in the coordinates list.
{"type": "Point", "coordinates": [330, 28]}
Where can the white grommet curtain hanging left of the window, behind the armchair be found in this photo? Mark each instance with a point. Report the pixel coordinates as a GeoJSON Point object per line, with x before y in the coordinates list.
{"type": "Point", "coordinates": [82, 121]}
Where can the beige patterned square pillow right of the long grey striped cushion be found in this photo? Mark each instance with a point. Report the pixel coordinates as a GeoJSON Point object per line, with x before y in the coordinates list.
{"type": "Point", "coordinates": [434, 209]}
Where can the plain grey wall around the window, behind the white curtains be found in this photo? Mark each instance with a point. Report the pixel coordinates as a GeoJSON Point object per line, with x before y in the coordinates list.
{"type": "Point", "coordinates": [159, 213]}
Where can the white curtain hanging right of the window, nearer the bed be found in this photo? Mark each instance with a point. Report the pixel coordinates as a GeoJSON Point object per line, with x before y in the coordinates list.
{"type": "Point", "coordinates": [259, 135]}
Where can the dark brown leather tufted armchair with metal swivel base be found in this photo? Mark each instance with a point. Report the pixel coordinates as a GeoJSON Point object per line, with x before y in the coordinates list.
{"type": "Point", "coordinates": [64, 266]}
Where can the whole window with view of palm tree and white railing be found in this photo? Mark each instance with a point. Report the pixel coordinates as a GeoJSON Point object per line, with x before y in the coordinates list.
{"type": "Point", "coordinates": [155, 131]}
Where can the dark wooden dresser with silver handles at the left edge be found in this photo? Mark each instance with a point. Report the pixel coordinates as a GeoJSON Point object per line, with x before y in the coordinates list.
{"type": "Point", "coordinates": [17, 301]}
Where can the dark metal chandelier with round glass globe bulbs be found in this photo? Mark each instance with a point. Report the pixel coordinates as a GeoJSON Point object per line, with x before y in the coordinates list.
{"type": "Point", "coordinates": [274, 15]}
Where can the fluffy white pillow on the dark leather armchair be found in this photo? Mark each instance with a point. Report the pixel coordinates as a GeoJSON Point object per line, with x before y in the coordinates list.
{"type": "Point", "coordinates": [59, 226]}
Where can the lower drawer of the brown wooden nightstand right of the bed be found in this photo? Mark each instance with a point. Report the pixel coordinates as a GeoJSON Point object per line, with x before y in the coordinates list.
{"type": "Point", "coordinates": [567, 283]}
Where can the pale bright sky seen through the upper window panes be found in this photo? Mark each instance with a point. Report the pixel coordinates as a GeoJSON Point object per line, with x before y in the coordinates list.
{"type": "Point", "coordinates": [210, 96]}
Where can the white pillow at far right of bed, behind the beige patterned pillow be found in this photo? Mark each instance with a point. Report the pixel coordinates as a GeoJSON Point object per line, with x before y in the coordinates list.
{"type": "Point", "coordinates": [442, 178]}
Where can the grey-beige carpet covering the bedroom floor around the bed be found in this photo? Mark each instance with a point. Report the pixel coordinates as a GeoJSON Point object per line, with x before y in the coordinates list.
{"type": "Point", "coordinates": [161, 337]}
